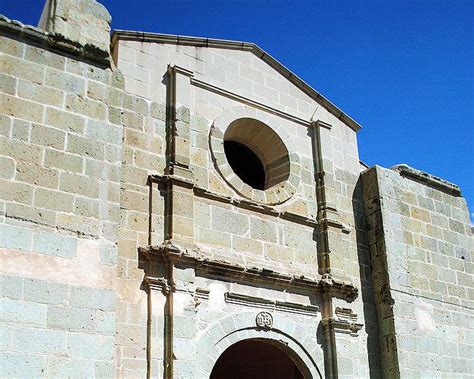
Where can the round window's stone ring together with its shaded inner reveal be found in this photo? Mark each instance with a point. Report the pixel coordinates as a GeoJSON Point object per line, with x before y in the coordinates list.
{"type": "Point", "coordinates": [286, 169]}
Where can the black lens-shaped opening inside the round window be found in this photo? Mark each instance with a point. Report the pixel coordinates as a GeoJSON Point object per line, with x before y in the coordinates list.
{"type": "Point", "coordinates": [245, 164]}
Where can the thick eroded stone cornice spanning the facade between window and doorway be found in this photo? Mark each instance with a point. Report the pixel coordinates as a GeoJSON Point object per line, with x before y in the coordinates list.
{"type": "Point", "coordinates": [204, 263]}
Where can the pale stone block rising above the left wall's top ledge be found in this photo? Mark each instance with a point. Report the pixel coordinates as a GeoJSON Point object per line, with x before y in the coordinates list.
{"type": "Point", "coordinates": [82, 21]}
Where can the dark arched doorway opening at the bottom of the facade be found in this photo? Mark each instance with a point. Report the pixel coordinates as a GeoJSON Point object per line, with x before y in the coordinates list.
{"type": "Point", "coordinates": [255, 359]}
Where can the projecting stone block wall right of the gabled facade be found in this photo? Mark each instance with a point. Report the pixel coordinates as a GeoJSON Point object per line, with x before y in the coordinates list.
{"type": "Point", "coordinates": [421, 251]}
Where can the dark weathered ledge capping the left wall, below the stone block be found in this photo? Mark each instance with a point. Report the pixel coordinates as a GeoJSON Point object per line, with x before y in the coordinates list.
{"type": "Point", "coordinates": [54, 42]}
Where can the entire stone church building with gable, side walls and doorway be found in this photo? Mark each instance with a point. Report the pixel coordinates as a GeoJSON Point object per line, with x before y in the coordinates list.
{"type": "Point", "coordinates": [183, 207]}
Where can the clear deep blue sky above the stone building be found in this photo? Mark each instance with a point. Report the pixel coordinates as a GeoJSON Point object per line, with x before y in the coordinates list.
{"type": "Point", "coordinates": [402, 69]}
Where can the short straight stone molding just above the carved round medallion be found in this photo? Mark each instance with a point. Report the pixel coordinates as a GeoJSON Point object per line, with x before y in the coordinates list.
{"type": "Point", "coordinates": [283, 306]}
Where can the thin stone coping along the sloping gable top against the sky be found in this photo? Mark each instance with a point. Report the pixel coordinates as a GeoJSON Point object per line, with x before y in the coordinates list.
{"type": "Point", "coordinates": [128, 35]}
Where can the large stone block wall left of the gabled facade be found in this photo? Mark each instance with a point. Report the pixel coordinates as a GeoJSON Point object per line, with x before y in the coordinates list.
{"type": "Point", "coordinates": [60, 153]}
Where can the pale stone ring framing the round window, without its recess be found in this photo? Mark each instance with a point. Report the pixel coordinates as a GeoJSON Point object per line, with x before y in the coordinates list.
{"type": "Point", "coordinates": [276, 194]}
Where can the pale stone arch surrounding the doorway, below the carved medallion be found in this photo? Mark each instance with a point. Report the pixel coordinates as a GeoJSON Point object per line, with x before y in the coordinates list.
{"type": "Point", "coordinates": [290, 335]}
